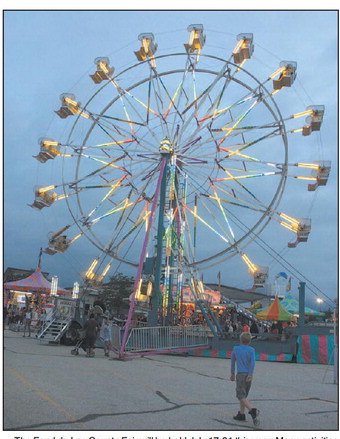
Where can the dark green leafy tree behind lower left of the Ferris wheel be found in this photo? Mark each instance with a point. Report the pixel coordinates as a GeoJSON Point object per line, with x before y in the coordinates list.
{"type": "Point", "coordinates": [113, 292]}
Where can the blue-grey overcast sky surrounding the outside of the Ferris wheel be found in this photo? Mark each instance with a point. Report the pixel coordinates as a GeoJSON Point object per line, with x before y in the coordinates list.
{"type": "Point", "coordinates": [51, 52]}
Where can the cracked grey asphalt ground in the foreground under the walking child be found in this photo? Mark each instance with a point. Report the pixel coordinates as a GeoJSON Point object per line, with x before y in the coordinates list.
{"type": "Point", "coordinates": [46, 388]}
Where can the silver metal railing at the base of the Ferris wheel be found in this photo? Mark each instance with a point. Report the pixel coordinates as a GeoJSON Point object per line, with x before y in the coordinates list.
{"type": "Point", "coordinates": [167, 337]}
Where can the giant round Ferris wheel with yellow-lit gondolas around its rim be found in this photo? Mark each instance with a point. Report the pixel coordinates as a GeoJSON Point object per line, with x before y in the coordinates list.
{"type": "Point", "coordinates": [197, 138]}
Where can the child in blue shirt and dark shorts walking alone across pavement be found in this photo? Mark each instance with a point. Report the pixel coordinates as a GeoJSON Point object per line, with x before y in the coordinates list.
{"type": "Point", "coordinates": [244, 356]}
